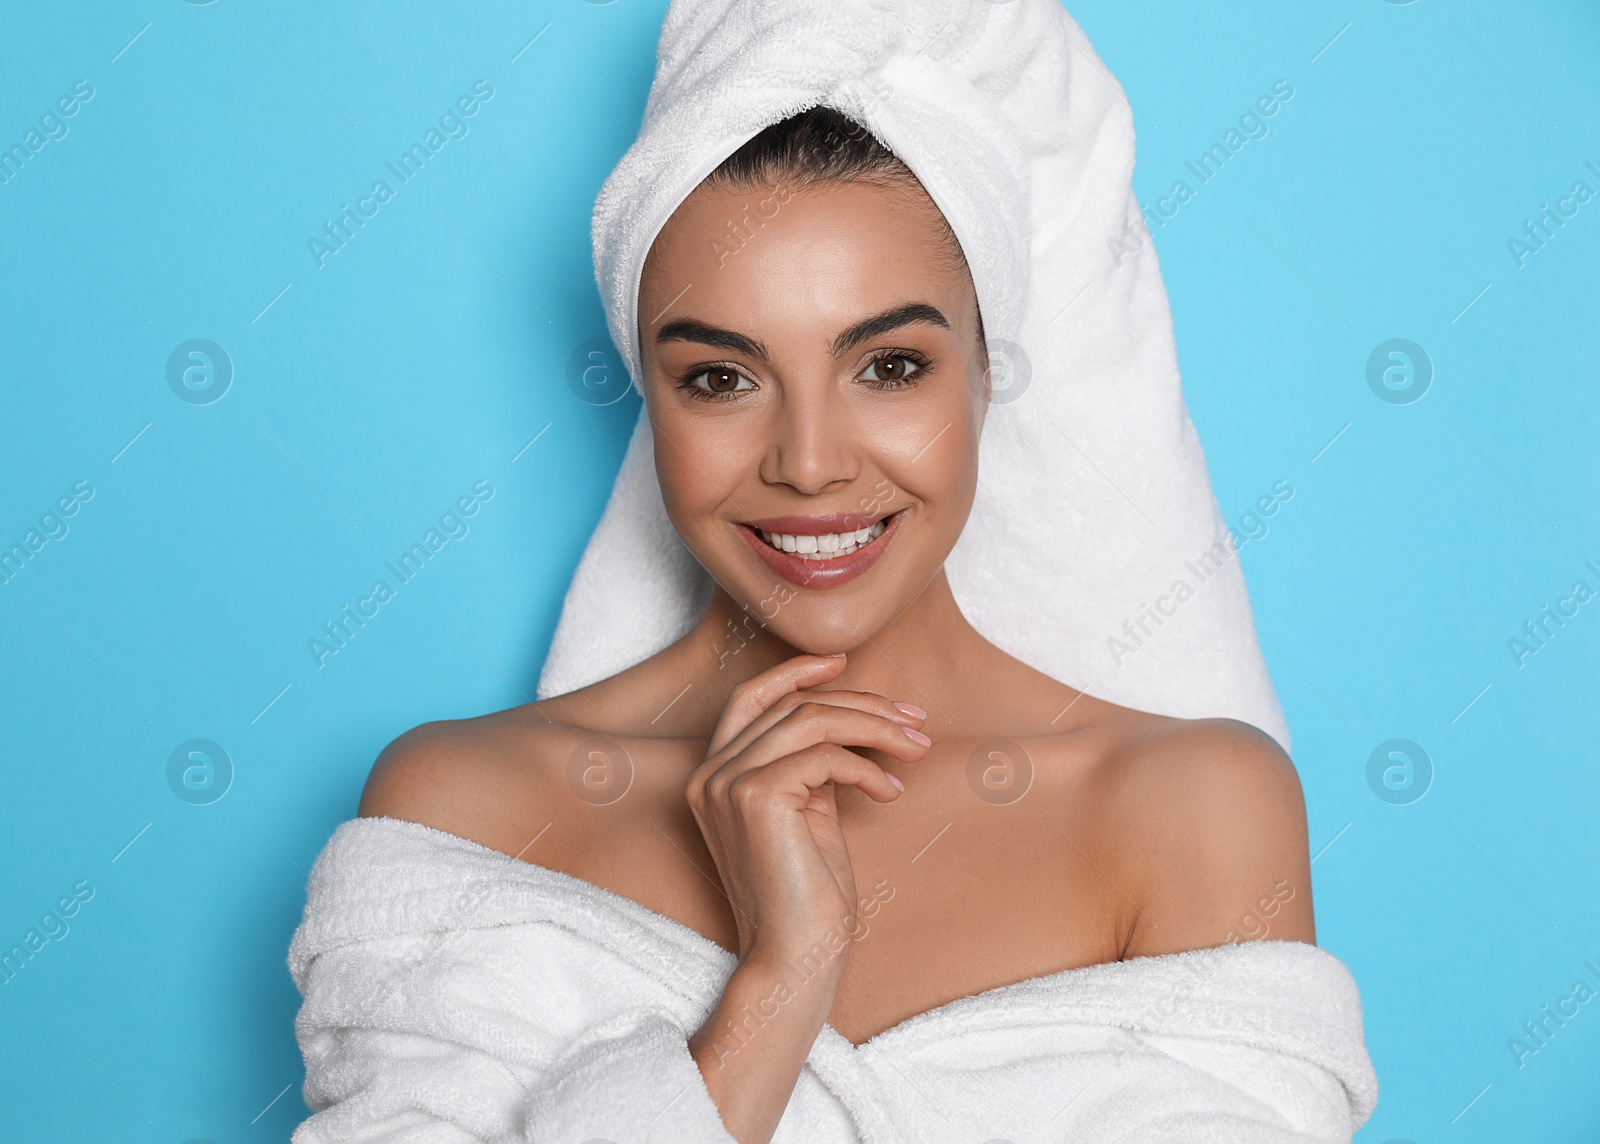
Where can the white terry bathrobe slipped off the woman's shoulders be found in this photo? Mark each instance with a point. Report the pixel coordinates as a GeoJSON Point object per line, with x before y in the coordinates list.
{"type": "Point", "coordinates": [455, 994]}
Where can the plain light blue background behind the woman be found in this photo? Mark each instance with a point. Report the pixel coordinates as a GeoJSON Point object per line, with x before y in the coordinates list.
{"type": "Point", "coordinates": [372, 393]}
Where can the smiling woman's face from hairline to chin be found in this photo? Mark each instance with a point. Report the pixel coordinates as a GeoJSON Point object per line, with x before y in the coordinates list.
{"type": "Point", "coordinates": [814, 370]}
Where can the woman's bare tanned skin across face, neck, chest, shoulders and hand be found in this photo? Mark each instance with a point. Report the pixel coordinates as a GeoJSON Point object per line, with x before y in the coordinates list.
{"type": "Point", "coordinates": [802, 788]}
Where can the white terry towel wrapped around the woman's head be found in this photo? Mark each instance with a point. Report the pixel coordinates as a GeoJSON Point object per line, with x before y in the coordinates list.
{"type": "Point", "coordinates": [1095, 550]}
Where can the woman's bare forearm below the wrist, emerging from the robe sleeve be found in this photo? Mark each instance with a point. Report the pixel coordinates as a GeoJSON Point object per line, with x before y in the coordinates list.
{"type": "Point", "coordinates": [754, 1044]}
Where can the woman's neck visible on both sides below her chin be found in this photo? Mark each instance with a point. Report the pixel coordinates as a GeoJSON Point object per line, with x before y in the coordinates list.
{"type": "Point", "coordinates": [916, 658]}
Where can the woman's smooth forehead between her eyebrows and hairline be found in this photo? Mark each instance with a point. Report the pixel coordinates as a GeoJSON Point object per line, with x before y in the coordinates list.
{"type": "Point", "coordinates": [812, 260]}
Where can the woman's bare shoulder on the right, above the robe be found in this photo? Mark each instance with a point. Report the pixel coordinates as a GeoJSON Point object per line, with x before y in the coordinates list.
{"type": "Point", "coordinates": [1215, 822]}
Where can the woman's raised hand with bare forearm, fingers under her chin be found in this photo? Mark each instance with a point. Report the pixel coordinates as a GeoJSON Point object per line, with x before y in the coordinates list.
{"type": "Point", "coordinates": [766, 804]}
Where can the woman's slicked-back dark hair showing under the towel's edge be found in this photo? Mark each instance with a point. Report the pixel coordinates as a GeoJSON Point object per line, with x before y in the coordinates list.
{"type": "Point", "coordinates": [822, 145]}
